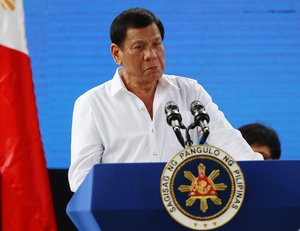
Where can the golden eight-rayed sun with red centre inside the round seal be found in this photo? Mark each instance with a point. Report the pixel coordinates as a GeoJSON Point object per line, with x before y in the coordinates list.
{"type": "Point", "coordinates": [202, 188]}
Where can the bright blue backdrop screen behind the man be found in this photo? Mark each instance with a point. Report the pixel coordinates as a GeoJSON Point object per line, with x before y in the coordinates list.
{"type": "Point", "coordinates": [246, 54]}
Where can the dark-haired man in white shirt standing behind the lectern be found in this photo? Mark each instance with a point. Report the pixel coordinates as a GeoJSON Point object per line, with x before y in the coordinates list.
{"type": "Point", "coordinates": [123, 120]}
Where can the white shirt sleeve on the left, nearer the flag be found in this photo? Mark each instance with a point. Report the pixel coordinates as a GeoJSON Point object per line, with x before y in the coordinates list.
{"type": "Point", "coordinates": [86, 146]}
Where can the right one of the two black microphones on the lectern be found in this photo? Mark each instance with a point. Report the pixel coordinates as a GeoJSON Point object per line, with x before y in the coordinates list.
{"type": "Point", "coordinates": [201, 119]}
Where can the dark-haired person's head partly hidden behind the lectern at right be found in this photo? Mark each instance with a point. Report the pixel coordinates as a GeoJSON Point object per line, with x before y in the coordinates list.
{"type": "Point", "coordinates": [262, 139]}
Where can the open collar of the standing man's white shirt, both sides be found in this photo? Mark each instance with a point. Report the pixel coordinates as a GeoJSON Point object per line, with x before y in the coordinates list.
{"type": "Point", "coordinates": [117, 83]}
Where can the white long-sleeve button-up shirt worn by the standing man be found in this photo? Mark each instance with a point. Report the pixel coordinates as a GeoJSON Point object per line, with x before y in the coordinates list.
{"type": "Point", "coordinates": [111, 124]}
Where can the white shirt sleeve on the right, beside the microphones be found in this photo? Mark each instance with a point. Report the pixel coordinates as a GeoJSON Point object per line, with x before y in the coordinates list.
{"type": "Point", "coordinates": [222, 134]}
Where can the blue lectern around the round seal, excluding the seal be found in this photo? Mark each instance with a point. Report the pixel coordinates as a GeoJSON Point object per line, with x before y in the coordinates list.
{"type": "Point", "coordinates": [116, 197]}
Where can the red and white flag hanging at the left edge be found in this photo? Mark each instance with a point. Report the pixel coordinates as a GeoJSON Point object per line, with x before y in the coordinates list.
{"type": "Point", "coordinates": [26, 202]}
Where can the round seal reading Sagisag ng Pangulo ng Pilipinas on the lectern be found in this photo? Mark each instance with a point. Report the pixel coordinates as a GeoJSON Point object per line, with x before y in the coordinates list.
{"type": "Point", "coordinates": [202, 187]}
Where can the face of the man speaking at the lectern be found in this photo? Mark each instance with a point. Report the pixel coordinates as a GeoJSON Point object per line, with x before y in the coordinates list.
{"type": "Point", "coordinates": [142, 54]}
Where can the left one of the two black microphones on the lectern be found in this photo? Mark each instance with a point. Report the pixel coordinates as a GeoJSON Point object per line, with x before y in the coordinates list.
{"type": "Point", "coordinates": [174, 119]}
